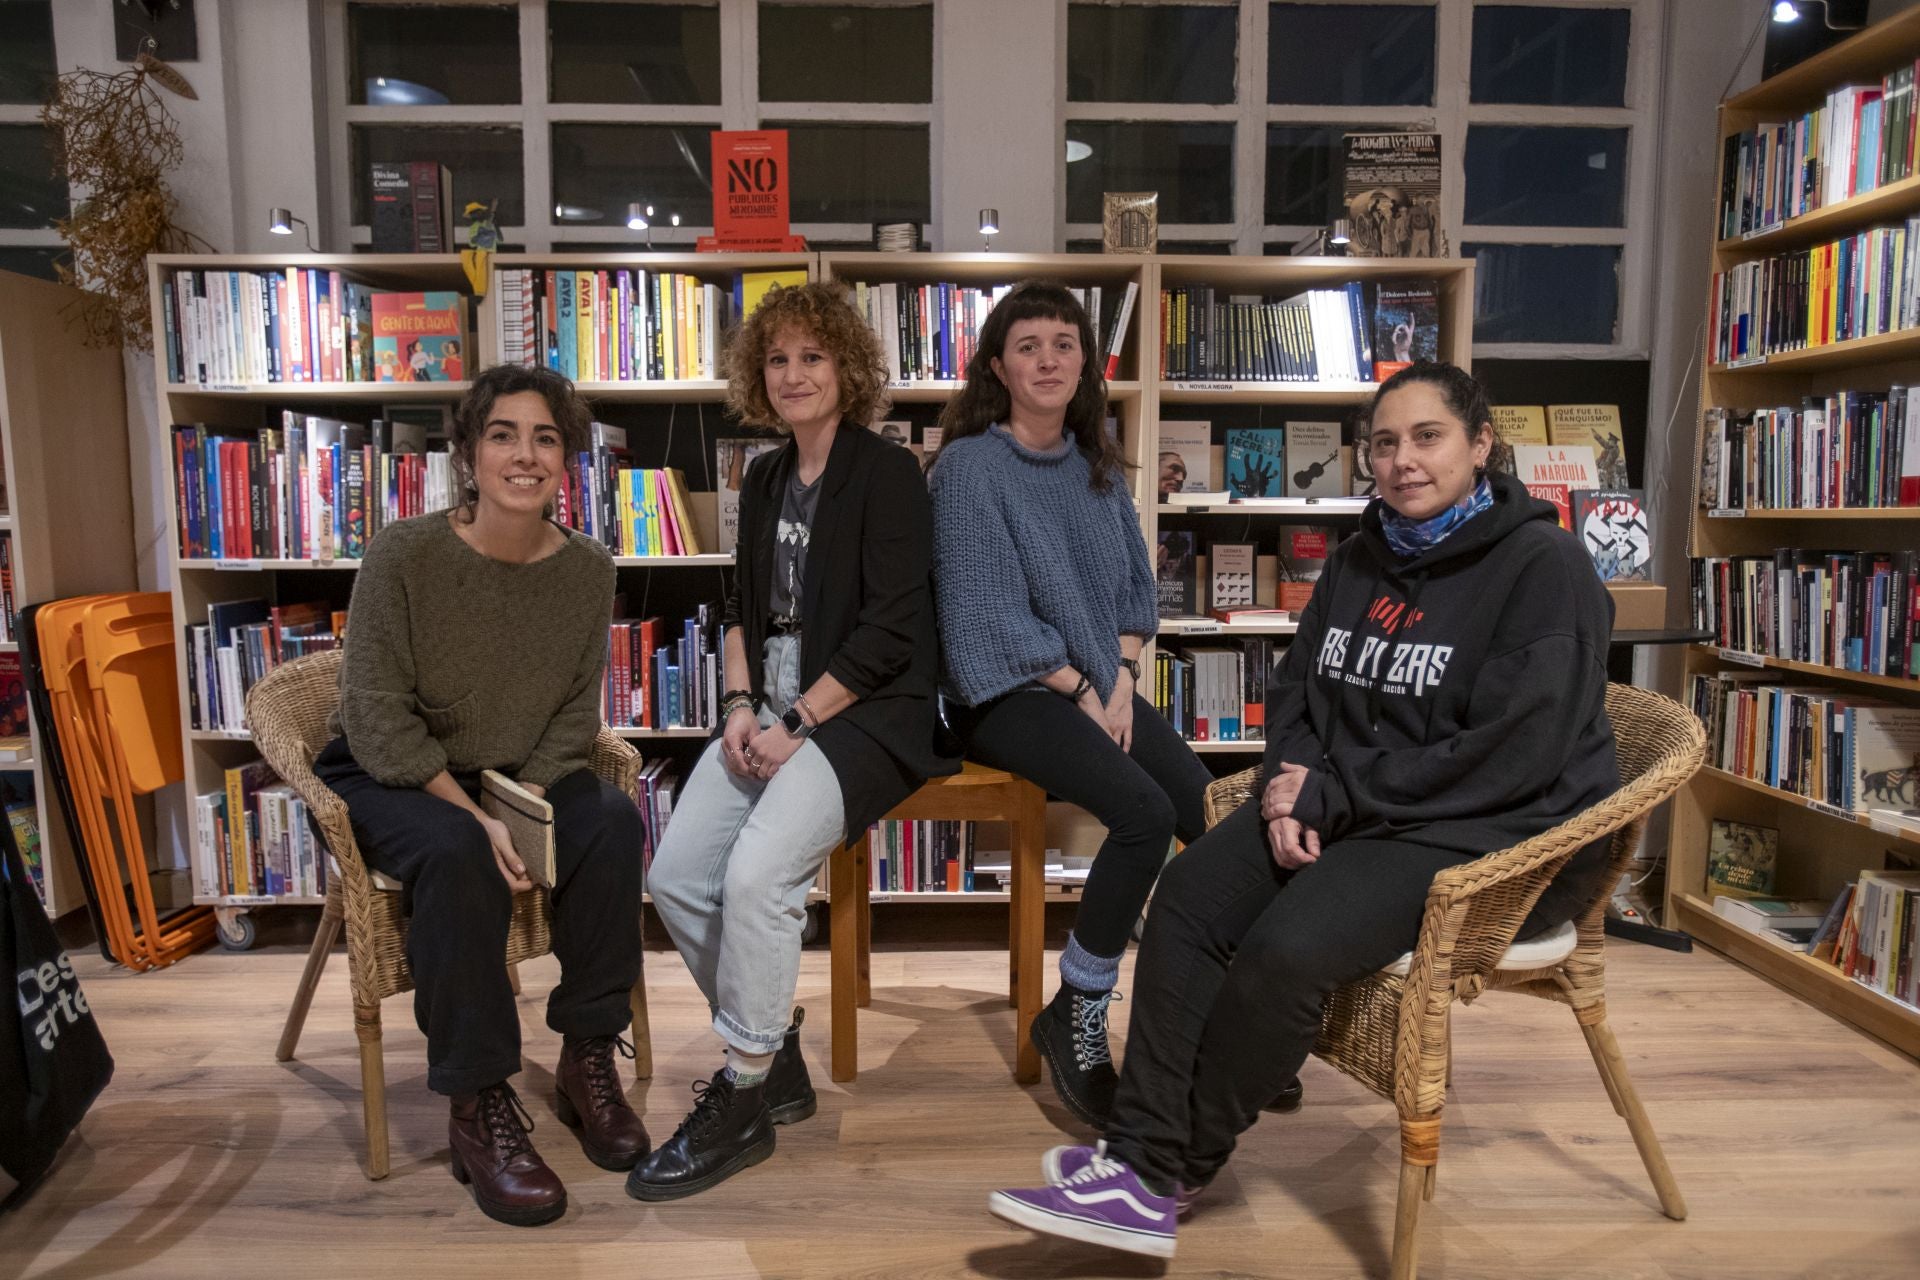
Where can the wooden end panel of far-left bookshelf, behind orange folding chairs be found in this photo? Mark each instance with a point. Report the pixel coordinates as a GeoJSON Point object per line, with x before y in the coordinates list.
{"type": "Point", "coordinates": [68, 508]}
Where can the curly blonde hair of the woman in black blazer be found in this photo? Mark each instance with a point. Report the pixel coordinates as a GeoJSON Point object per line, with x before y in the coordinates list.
{"type": "Point", "coordinates": [825, 314]}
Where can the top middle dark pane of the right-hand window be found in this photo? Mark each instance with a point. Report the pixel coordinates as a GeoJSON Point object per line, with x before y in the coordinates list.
{"type": "Point", "coordinates": [1351, 55]}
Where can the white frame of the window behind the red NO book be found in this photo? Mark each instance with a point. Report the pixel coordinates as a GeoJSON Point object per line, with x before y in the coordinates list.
{"type": "Point", "coordinates": [740, 108]}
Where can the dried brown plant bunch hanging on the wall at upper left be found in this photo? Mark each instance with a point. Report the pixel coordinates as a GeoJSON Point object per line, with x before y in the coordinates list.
{"type": "Point", "coordinates": [118, 143]}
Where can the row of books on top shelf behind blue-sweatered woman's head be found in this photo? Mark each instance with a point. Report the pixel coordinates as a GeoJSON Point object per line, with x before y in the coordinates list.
{"type": "Point", "coordinates": [932, 331]}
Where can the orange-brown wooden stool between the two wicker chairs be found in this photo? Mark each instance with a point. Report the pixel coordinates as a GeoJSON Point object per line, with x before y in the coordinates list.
{"type": "Point", "coordinates": [972, 795]}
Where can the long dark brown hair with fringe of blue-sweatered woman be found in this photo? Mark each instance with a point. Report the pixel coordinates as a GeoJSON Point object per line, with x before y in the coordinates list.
{"type": "Point", "coordinates": [984, 400]}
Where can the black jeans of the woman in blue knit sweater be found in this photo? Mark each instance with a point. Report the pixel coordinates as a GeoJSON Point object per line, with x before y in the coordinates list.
{"type": "Point", "coordinates": [1143, 797]}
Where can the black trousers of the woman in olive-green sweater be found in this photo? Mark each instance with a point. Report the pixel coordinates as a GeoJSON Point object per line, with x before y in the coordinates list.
{"type": "Point", "coordinates": [462, 909]}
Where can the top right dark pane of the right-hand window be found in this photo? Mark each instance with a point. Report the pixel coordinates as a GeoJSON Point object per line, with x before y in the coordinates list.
{"type": "Point", "coordinates": [1548, 57]}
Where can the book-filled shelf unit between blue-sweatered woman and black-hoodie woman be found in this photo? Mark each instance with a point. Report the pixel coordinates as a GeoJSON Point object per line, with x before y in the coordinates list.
{"type": "Point", "coordinates": [1259, 375]}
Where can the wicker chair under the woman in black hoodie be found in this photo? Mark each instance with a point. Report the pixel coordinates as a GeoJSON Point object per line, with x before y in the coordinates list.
{"type": "Point", "coordinates": [1393, 1031]}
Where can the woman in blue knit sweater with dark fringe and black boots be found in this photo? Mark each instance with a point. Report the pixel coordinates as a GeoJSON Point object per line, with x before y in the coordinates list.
{"type": "Point", "coordinates": [1045, 602]}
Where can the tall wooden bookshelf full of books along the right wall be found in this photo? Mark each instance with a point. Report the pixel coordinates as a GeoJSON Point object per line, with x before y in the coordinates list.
{"type": "Point", "coordinates": [1798, 847]}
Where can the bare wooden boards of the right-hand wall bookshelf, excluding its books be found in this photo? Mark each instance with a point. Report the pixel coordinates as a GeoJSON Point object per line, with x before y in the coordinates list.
{"type": "Point", "coordinates": [1821, 849]}
